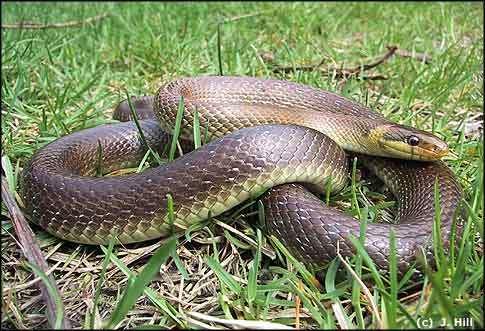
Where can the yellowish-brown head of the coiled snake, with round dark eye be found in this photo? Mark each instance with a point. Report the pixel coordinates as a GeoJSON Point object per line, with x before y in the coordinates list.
{"type": "Point", "coordinates": [405, 142]}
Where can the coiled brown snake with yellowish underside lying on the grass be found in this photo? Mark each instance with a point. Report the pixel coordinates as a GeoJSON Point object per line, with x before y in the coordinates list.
{"type": "Point", "coordinates": [284, 143]}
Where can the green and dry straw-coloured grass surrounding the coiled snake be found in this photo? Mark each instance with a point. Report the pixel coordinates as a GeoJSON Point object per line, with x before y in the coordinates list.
{"type": "Point", "coordinates": [58, 81]}
